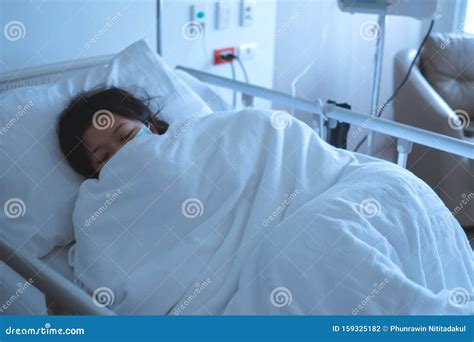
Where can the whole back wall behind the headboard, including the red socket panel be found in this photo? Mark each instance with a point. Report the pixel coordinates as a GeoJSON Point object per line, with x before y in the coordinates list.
{"type": "Point", "coordinates": [65, 30]}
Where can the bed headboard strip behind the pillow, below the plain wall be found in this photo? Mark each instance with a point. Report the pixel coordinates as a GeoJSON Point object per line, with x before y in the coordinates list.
{"type": "Point", "coordinates": [48, 73]}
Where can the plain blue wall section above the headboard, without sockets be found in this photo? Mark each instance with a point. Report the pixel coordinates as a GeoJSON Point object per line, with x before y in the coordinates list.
{"type": "Point", "coordinates": [56, 31]}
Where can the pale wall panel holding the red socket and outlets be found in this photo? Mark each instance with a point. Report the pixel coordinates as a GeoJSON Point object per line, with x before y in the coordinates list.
{"type": "Point", "coordinates": [198, 53]}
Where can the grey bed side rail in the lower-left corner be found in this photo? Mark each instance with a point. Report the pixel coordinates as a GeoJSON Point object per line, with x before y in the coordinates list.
{"type": "Point", "coordinates": [50, 282]}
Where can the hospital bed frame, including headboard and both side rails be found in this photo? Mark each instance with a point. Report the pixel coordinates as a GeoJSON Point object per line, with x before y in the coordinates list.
{"type": "Point", "coordinates": [52, 274]}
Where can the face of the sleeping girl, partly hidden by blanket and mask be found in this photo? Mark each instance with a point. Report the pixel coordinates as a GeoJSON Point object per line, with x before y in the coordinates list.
{"type": "Point", "coordinates": [103, 143]}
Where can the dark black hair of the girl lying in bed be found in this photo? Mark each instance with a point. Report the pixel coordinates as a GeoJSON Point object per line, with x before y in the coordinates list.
{"type": "Point", "coordinates": [77, 117]}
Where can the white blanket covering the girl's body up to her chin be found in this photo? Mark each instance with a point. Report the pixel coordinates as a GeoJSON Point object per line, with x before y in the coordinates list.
{"type": "Point", "coordinates": [249, 213]}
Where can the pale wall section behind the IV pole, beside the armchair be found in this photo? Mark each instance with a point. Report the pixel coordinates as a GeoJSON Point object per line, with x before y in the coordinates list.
{"type": "Point", "coordinates": [338, 56]}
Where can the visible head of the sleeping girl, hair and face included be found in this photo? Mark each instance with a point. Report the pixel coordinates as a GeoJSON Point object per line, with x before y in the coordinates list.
{"type": "Point", "coordinates": [96, 124]}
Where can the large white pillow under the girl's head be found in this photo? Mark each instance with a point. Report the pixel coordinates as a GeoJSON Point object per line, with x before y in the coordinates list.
{"type": "Point", "coordinates": [38, 189]}
